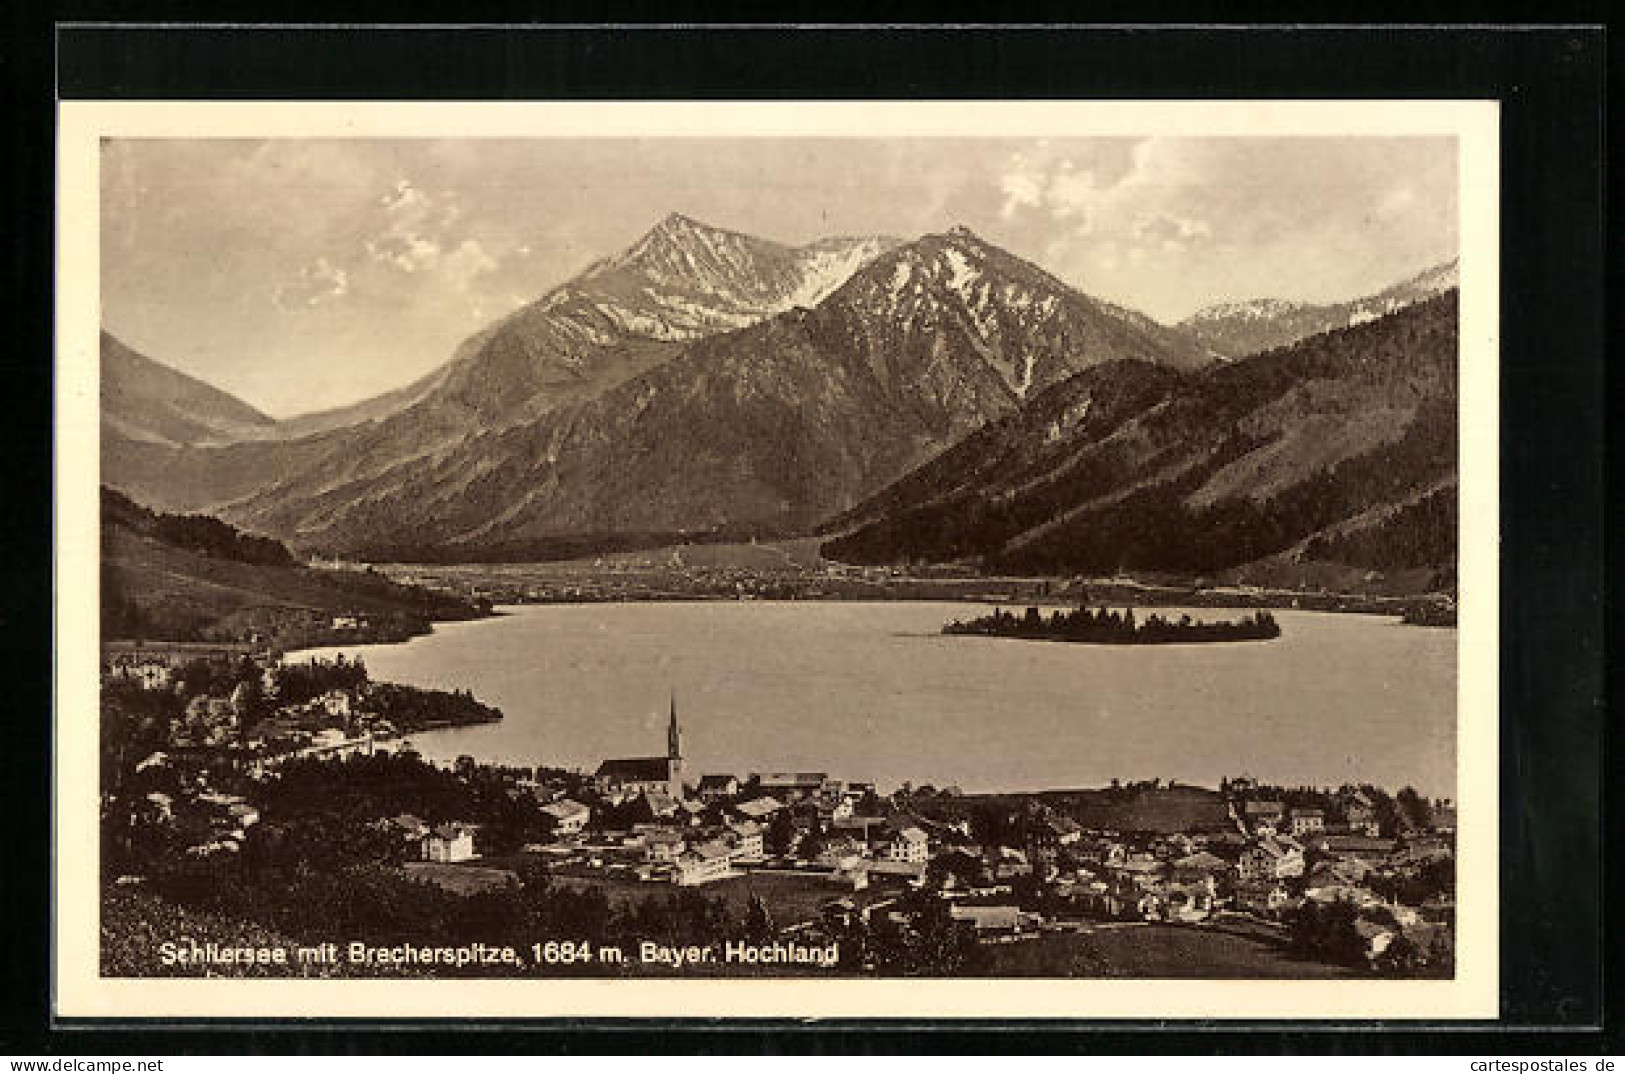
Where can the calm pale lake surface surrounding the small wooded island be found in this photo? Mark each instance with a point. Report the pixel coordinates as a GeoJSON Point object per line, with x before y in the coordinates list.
{"type": "Point", "coordinates": [872, 691]}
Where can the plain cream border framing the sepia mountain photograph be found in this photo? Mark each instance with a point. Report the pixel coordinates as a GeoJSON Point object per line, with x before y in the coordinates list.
{"type": "Point", "coordinates": [80, 992]}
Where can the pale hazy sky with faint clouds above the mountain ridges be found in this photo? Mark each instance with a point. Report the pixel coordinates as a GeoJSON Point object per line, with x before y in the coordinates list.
{"type": "Point", "coordinates": [310, 274]}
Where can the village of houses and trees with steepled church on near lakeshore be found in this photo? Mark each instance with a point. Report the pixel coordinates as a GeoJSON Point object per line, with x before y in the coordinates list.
{"type": "Point", "coordinates": [820, 854]}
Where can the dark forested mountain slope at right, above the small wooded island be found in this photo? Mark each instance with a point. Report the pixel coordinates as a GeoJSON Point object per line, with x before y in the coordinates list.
{"type": "Point", "coordinates": [1337, 449]}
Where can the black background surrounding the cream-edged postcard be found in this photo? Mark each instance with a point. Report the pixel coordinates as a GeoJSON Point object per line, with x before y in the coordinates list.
{"type": "Point", "coordinates": [1551, 85]}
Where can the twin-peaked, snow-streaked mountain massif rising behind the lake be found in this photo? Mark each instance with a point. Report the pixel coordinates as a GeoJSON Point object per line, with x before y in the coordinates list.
{"type": "Point", "coordinates": [623, 407]}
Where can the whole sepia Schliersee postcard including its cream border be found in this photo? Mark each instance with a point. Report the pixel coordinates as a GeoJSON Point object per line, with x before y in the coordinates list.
{"type": "Point", "coordinates": [795, 547]}
